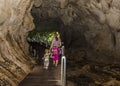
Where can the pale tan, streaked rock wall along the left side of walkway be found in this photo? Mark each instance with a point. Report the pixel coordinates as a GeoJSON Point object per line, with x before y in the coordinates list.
{"type": "Point", "coordinates": [15, 22]}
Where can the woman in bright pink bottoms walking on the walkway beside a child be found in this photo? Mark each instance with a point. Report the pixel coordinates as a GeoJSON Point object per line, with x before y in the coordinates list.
{"type": "Point", "coordinates": [55, 46]}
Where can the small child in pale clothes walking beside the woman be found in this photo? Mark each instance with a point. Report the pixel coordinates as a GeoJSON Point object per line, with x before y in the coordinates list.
{"type": "Point", "coordinates": [46, 58]}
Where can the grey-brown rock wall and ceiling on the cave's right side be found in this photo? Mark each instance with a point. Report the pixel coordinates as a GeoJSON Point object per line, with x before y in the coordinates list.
{"type": "Point", "coordinates": [90, 24]}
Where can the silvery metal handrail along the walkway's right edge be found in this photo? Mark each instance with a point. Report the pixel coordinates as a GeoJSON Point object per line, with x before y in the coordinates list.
{"type": "Point", "coordinates": [63, 68]}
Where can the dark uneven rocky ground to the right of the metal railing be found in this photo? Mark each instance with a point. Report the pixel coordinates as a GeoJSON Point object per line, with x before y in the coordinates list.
{"type": "Point", "coordinates": [88, 73]}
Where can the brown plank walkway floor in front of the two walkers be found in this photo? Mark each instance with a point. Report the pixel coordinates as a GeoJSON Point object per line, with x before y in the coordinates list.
{"type": "Point", "coordinates": [42, 77]}
